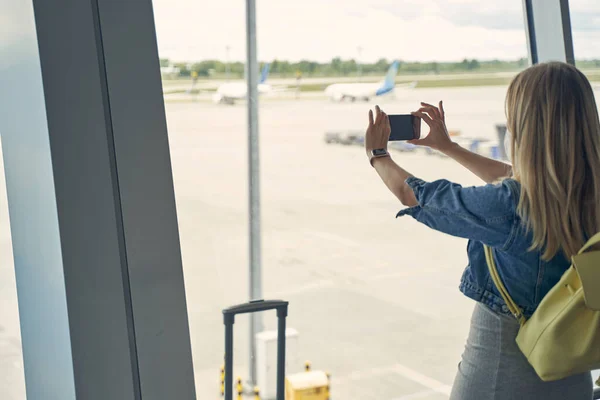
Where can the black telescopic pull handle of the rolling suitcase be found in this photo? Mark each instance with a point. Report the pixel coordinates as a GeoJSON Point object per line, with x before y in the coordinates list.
{"type": "Point", "coordinates": [249, 308]}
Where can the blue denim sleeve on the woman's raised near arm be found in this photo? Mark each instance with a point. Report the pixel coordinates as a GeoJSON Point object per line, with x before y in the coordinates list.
{"type": "Point", "coordinates": [482, 213]}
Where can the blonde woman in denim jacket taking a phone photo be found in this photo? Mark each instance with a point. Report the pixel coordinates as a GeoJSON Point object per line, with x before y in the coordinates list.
{"type": "Point", "coordinates": [535, 215]}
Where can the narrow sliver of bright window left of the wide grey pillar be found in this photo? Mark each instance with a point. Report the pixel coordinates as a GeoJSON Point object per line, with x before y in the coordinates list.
{"type": "Point", "coordinates": [12, 381]}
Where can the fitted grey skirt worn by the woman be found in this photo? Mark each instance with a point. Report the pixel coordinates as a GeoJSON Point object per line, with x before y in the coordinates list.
{"type": "Point", "coordinates": [493, 367]}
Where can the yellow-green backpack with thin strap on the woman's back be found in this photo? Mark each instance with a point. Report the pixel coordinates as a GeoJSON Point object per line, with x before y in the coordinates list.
{"type": "Point", "coordinates": [562, 337]}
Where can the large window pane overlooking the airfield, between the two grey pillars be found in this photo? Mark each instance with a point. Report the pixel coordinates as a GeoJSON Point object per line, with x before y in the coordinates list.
{"type": "Point", "coordinates": [374, 300]}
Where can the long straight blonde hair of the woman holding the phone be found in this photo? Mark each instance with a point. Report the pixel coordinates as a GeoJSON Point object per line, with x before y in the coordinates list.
{"type": "Point", "coordinates": [553, 119]}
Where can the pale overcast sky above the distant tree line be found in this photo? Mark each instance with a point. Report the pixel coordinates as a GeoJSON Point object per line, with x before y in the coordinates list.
{"type": "Point", "coordinates": [423, 30]}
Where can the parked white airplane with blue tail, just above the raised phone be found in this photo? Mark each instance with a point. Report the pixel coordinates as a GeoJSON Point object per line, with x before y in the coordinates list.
{"type": "Point", "coordinates": [364, 91]}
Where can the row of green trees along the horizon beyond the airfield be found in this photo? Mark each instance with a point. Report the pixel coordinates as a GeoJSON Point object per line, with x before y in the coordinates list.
{"type": "Point", "coordinates": [340, 67]}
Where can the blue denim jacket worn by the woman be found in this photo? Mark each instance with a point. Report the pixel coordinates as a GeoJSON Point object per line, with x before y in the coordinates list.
{"type": "Point", "coordinates": [488, 215]}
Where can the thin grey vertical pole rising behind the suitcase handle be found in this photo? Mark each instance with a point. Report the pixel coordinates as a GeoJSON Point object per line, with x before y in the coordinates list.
{"type": "Point", "coordinates": [255, 279]}
